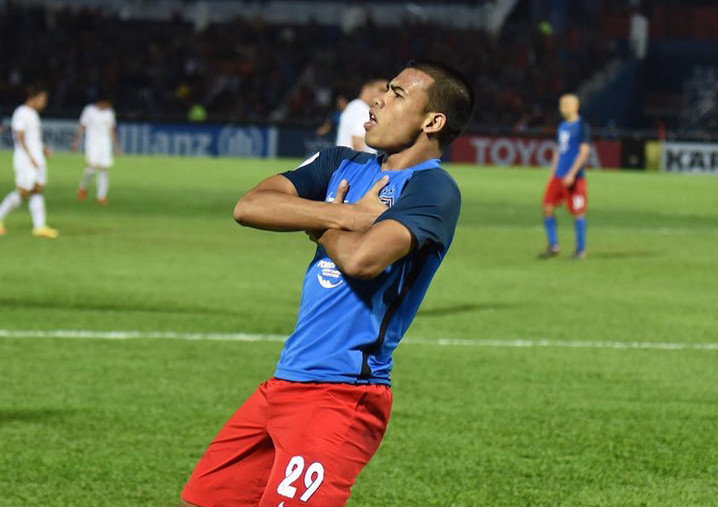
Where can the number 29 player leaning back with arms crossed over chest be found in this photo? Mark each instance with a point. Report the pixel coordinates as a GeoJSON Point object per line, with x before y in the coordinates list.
{"type": "Point", "coordinates": [382, 225]}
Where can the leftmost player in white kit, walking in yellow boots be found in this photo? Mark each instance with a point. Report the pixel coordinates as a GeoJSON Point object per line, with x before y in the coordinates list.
{"type": "Point", "coordinates": [29, 163]}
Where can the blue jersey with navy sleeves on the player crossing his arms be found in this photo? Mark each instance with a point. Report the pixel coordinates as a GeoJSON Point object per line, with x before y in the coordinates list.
{"type": "Point", "coordinates": [347, 328]}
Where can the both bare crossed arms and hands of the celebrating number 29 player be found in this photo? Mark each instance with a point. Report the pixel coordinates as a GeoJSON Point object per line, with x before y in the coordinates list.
{"type": "Point", "coordinates": [359, 248]}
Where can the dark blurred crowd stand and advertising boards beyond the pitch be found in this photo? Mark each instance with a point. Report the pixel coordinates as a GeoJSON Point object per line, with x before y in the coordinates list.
{"type": "Point", "coordinates": [645, 71]}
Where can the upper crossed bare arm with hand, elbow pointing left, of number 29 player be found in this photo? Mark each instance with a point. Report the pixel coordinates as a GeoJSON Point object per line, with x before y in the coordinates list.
{"type": "Point", "coordinates": [275, 206]}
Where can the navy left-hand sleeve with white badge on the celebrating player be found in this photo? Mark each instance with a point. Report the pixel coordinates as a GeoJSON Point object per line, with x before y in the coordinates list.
{"type": "Point", "coordinates": [312, 177]}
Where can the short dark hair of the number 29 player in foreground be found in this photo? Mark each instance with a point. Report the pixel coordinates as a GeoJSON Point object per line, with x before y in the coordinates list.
{"type": "Point", "coordinates": [451, 94]}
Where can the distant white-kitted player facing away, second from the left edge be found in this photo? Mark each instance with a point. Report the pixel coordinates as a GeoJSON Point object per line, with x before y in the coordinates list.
{"type": "Point", "coordinates": [97, 122]}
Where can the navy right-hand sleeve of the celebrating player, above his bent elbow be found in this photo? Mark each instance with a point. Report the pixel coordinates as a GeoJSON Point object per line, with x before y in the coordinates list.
{"type": "Point", "coordinates": [429, 207]}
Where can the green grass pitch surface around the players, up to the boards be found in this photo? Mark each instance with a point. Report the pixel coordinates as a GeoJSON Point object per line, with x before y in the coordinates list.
{"type": "Point", "coordinates": [93, 422]}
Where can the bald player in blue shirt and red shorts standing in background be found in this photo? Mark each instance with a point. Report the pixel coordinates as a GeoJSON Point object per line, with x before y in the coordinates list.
{"type": "Point", "coordinates": [567, 182]}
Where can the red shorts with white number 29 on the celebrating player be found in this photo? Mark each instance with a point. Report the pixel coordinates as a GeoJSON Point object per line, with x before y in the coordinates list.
{"type": "Point", "coordinates": [292, 444]}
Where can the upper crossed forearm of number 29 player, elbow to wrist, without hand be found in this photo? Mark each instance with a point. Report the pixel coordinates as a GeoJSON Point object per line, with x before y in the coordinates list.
{"type": "Point", "coordinates": [278, 211]}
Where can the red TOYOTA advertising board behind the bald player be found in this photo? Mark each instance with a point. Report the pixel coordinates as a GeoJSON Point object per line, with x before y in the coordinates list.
{"type": "Point", "coordinates": [526, 151]}
